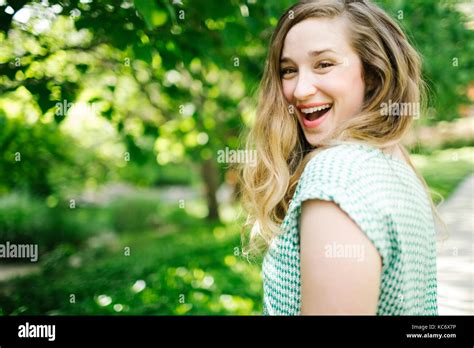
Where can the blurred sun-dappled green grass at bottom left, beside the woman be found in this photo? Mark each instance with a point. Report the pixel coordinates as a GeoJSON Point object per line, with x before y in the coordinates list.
{"type": "Point", "coordinates": [193, 271]}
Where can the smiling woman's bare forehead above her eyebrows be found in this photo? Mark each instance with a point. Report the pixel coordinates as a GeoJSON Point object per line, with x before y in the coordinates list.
{"type": "Point", "coordinates": [315, 34]}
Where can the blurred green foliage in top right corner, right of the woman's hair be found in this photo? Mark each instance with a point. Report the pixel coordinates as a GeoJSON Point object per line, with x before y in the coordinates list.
{"type": "Point", "coordinates": [431, 27]}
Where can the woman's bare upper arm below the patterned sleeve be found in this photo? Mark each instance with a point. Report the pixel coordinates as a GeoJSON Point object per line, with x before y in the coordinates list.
{"type": "Point", "coordinates": [340, 267]}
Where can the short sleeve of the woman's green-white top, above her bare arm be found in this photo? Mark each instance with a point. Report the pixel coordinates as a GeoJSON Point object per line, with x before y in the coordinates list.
{"type": "Point", "coordinates": [340, 175]}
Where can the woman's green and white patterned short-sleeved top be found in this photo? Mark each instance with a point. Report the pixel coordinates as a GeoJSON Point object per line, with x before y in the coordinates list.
{"type": "Point", "coordinates": [383, 195]}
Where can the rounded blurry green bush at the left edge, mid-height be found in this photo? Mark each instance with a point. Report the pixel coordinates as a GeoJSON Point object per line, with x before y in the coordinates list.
{"type": "Point", "coordinates": [40, 159]}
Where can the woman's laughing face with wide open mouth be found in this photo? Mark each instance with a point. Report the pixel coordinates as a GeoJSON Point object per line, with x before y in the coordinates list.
{"type": "Point", "coordinates": [321, 76]}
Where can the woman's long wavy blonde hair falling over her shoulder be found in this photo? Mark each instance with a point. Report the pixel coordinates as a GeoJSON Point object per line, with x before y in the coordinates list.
{"type": "Point", "coordinates": [392, 72]}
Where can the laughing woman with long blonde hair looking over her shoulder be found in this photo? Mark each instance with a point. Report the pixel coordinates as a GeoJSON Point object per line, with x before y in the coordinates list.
{"type": "Point", "coordinates": [342, 217]}
